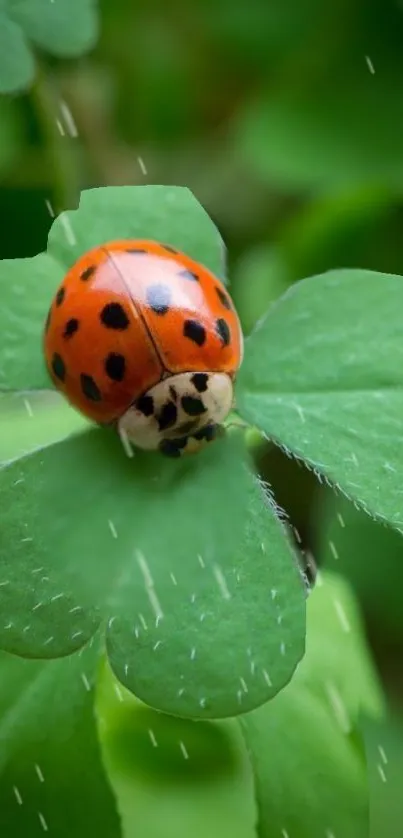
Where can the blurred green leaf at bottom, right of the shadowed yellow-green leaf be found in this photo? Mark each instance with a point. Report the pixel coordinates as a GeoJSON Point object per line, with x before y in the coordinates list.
{"type": "Point", "coordinates": [310, 781]}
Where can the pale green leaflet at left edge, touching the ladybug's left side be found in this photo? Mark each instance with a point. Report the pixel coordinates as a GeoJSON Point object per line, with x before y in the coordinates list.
{"type": "Point", "coordinates": [27, 288]}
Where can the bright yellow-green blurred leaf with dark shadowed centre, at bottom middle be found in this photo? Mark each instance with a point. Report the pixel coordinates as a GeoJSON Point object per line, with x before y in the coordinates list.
{"type": "Point", "coordinates": [199, 771]}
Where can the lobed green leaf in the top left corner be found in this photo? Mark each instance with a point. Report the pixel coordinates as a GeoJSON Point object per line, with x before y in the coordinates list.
{"type": "Point", "coordinates": [65, 28]}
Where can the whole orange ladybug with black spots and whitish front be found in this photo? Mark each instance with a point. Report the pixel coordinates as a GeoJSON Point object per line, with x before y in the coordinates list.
{"type": "Point", "coordinates": [143, 338]}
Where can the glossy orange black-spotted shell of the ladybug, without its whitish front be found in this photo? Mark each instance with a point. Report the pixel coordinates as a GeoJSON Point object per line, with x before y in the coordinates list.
{"type": "Point", "coordinates": [128, 314]}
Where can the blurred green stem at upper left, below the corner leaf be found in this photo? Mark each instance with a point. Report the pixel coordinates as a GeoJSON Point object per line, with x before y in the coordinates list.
{"type": "Point", "coordinates": [61, 156]}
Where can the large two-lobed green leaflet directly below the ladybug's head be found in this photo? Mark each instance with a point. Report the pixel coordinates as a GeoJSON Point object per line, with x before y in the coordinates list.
{"type": "Point", "coordinates": [187, 559]}
